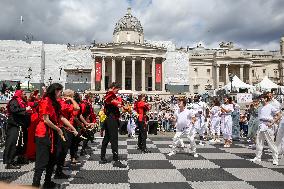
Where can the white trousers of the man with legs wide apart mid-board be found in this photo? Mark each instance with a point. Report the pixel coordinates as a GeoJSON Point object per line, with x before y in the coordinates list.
{"type": "Point", "coordinates": [190, 134]}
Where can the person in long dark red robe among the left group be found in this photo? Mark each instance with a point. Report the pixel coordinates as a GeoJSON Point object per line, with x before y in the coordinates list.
{"type": "Point", "coordinates": [33, 102]}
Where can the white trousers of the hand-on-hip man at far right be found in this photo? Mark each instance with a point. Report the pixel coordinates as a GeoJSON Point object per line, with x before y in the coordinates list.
{"type": "Point", "coordinates": [267, 135]}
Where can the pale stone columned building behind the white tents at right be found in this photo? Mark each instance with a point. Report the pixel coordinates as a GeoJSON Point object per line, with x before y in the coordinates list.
{"type": "Point", "coordinates": [210, 68]}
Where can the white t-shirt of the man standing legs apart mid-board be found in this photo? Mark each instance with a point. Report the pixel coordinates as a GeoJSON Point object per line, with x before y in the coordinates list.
{"type": "Point", "coordinates": [183, 119]}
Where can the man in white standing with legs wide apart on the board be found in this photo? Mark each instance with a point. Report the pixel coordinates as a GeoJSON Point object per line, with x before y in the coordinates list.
{"type": "Point", "coordinates": [184, 126]}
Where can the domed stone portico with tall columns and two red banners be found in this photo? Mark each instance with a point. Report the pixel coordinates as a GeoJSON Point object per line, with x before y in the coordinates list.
{"type": "Point", "coordinates": [128, 60]}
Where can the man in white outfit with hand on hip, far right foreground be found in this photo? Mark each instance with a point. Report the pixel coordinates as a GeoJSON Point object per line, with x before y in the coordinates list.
{"type": "Point", "coordinates": [268, 116]}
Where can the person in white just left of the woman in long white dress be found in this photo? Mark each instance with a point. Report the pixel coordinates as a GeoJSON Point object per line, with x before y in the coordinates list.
{"type": "Point", "coordinates": [215, 114]}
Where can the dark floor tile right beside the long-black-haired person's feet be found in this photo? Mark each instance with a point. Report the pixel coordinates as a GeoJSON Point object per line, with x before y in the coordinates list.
{"type": "Point", "coordinates": [100, 176]}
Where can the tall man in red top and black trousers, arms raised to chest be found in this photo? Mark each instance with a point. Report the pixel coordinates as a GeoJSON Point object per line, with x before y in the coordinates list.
{"type": "Point", "coordinates": [111, 124]}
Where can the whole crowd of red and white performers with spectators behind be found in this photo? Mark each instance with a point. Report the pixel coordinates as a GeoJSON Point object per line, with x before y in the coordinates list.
{"type": "Point", "coordinates": [45, 128]}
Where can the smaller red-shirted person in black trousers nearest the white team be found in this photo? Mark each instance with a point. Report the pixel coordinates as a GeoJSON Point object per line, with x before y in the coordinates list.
{"type": "Point", "coordinates": [141, 107]}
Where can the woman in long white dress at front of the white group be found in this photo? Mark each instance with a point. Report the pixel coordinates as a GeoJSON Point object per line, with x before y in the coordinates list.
{"type": "Point", "coordinates": [227, 108]}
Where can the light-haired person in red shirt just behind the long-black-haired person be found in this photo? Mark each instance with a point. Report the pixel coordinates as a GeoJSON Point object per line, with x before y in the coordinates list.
{"type": "Point", "coordinates": [68, 106]}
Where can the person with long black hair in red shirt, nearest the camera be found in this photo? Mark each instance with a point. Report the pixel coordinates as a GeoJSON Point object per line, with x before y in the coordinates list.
{"type": "Point", "coordinates": [47, 134]}
